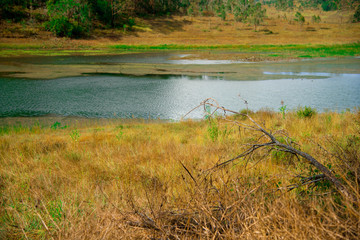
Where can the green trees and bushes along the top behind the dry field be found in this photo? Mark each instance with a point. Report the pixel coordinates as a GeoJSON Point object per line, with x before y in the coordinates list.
{"type": "Point", "coordinates": [75, 18]}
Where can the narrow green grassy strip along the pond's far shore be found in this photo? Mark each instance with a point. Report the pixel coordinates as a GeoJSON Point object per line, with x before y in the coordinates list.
{"type": "Point", "coordinates": [258, 52]}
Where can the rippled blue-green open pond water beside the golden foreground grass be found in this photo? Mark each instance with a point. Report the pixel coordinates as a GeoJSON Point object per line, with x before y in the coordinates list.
{"type": "Point", "coordinates": [172, 96]}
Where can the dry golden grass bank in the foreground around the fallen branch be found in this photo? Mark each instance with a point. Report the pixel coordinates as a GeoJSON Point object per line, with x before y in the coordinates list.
{"type": "Point", "coordinates": [124, 180]}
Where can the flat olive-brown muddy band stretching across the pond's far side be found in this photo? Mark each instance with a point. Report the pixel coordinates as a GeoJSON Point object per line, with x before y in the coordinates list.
{"type": "Point", "coordinates": [232, 71]}
